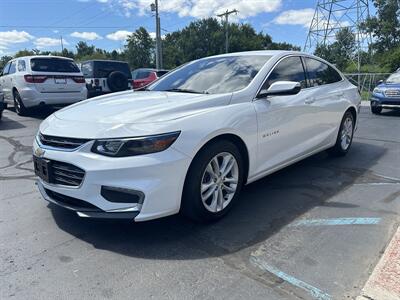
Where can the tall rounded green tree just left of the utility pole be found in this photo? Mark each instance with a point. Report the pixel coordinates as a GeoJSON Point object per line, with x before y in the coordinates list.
{"type": "Point", "coordinates": [139, 49]}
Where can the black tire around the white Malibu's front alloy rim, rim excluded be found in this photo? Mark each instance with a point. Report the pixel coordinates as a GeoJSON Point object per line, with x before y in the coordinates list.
{"type": "Point", "coordinates": [192, 204]}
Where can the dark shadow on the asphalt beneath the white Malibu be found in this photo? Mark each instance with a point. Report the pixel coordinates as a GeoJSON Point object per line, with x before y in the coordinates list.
{"type": "Point", "coordinates": [264, 208]}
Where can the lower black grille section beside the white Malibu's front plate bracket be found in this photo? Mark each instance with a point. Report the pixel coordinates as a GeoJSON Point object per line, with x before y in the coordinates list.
{"type": "Point", "coordinates": [66, 174]}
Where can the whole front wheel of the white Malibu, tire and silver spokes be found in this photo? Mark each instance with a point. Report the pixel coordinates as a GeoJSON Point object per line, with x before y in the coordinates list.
{"type": "Point", "coordinates": [223, 190]}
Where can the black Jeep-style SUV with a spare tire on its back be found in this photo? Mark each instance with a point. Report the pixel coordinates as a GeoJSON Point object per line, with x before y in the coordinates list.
{"type": "Point", "coordinates": [106, 76]}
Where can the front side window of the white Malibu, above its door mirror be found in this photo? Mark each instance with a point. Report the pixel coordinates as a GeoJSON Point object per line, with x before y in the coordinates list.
{"type": "Point", "coordinates": [289, 69]}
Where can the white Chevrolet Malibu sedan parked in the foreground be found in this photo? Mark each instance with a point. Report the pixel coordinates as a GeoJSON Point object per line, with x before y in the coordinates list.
{"type": "Point", "coordinates": [190, 141]}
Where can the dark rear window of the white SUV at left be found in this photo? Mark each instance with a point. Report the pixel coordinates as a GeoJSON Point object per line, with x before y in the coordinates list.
{"type": "Point", "coordinates": [54, 65]}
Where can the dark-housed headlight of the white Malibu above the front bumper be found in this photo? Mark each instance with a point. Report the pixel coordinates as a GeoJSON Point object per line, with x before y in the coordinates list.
{"type": "Point", "coordinates": [135, 146]}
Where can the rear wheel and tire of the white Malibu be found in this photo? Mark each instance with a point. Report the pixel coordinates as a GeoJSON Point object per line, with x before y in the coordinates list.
{"type": "Point", "coordinates": [345, 136]}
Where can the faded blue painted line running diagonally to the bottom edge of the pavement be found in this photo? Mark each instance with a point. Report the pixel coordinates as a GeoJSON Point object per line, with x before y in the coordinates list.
{"type": "Point", "coordinates": [313, 291]}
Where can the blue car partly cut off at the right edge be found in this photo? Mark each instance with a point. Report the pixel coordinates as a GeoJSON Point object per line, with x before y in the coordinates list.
{"type": "Point", "coordinates": [386, 94]}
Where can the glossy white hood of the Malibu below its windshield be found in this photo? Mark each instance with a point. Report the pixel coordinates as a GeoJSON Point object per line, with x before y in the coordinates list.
{"type": "Point", "coordinates": [140, 107]}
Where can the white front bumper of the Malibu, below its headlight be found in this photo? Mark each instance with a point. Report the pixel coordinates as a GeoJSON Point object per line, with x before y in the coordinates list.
{"type": "Point", "coordinates": [159, 177]}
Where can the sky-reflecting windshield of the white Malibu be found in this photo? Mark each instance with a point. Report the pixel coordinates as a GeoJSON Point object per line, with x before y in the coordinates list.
{"type": "Point", "coordinates": [213, 75]}
